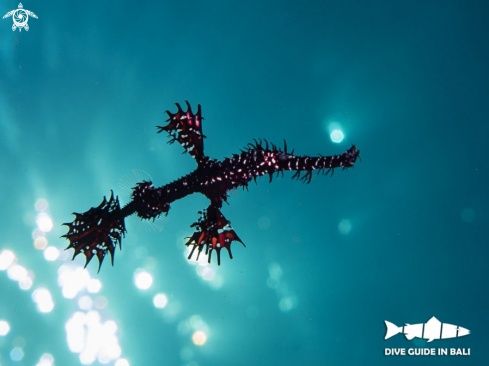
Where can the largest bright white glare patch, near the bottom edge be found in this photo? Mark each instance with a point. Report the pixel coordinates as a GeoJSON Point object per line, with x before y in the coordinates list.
{"type": "Point", "coordinates": [93, 340]}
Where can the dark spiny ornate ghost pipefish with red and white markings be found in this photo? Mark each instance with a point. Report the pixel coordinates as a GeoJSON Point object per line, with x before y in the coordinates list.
{"type": "Point", "coordinates": [97, 231]}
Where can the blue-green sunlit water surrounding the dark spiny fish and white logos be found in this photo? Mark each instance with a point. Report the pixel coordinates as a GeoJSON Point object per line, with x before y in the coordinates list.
{"type": "Point", "coordinates": [401, 237]}
